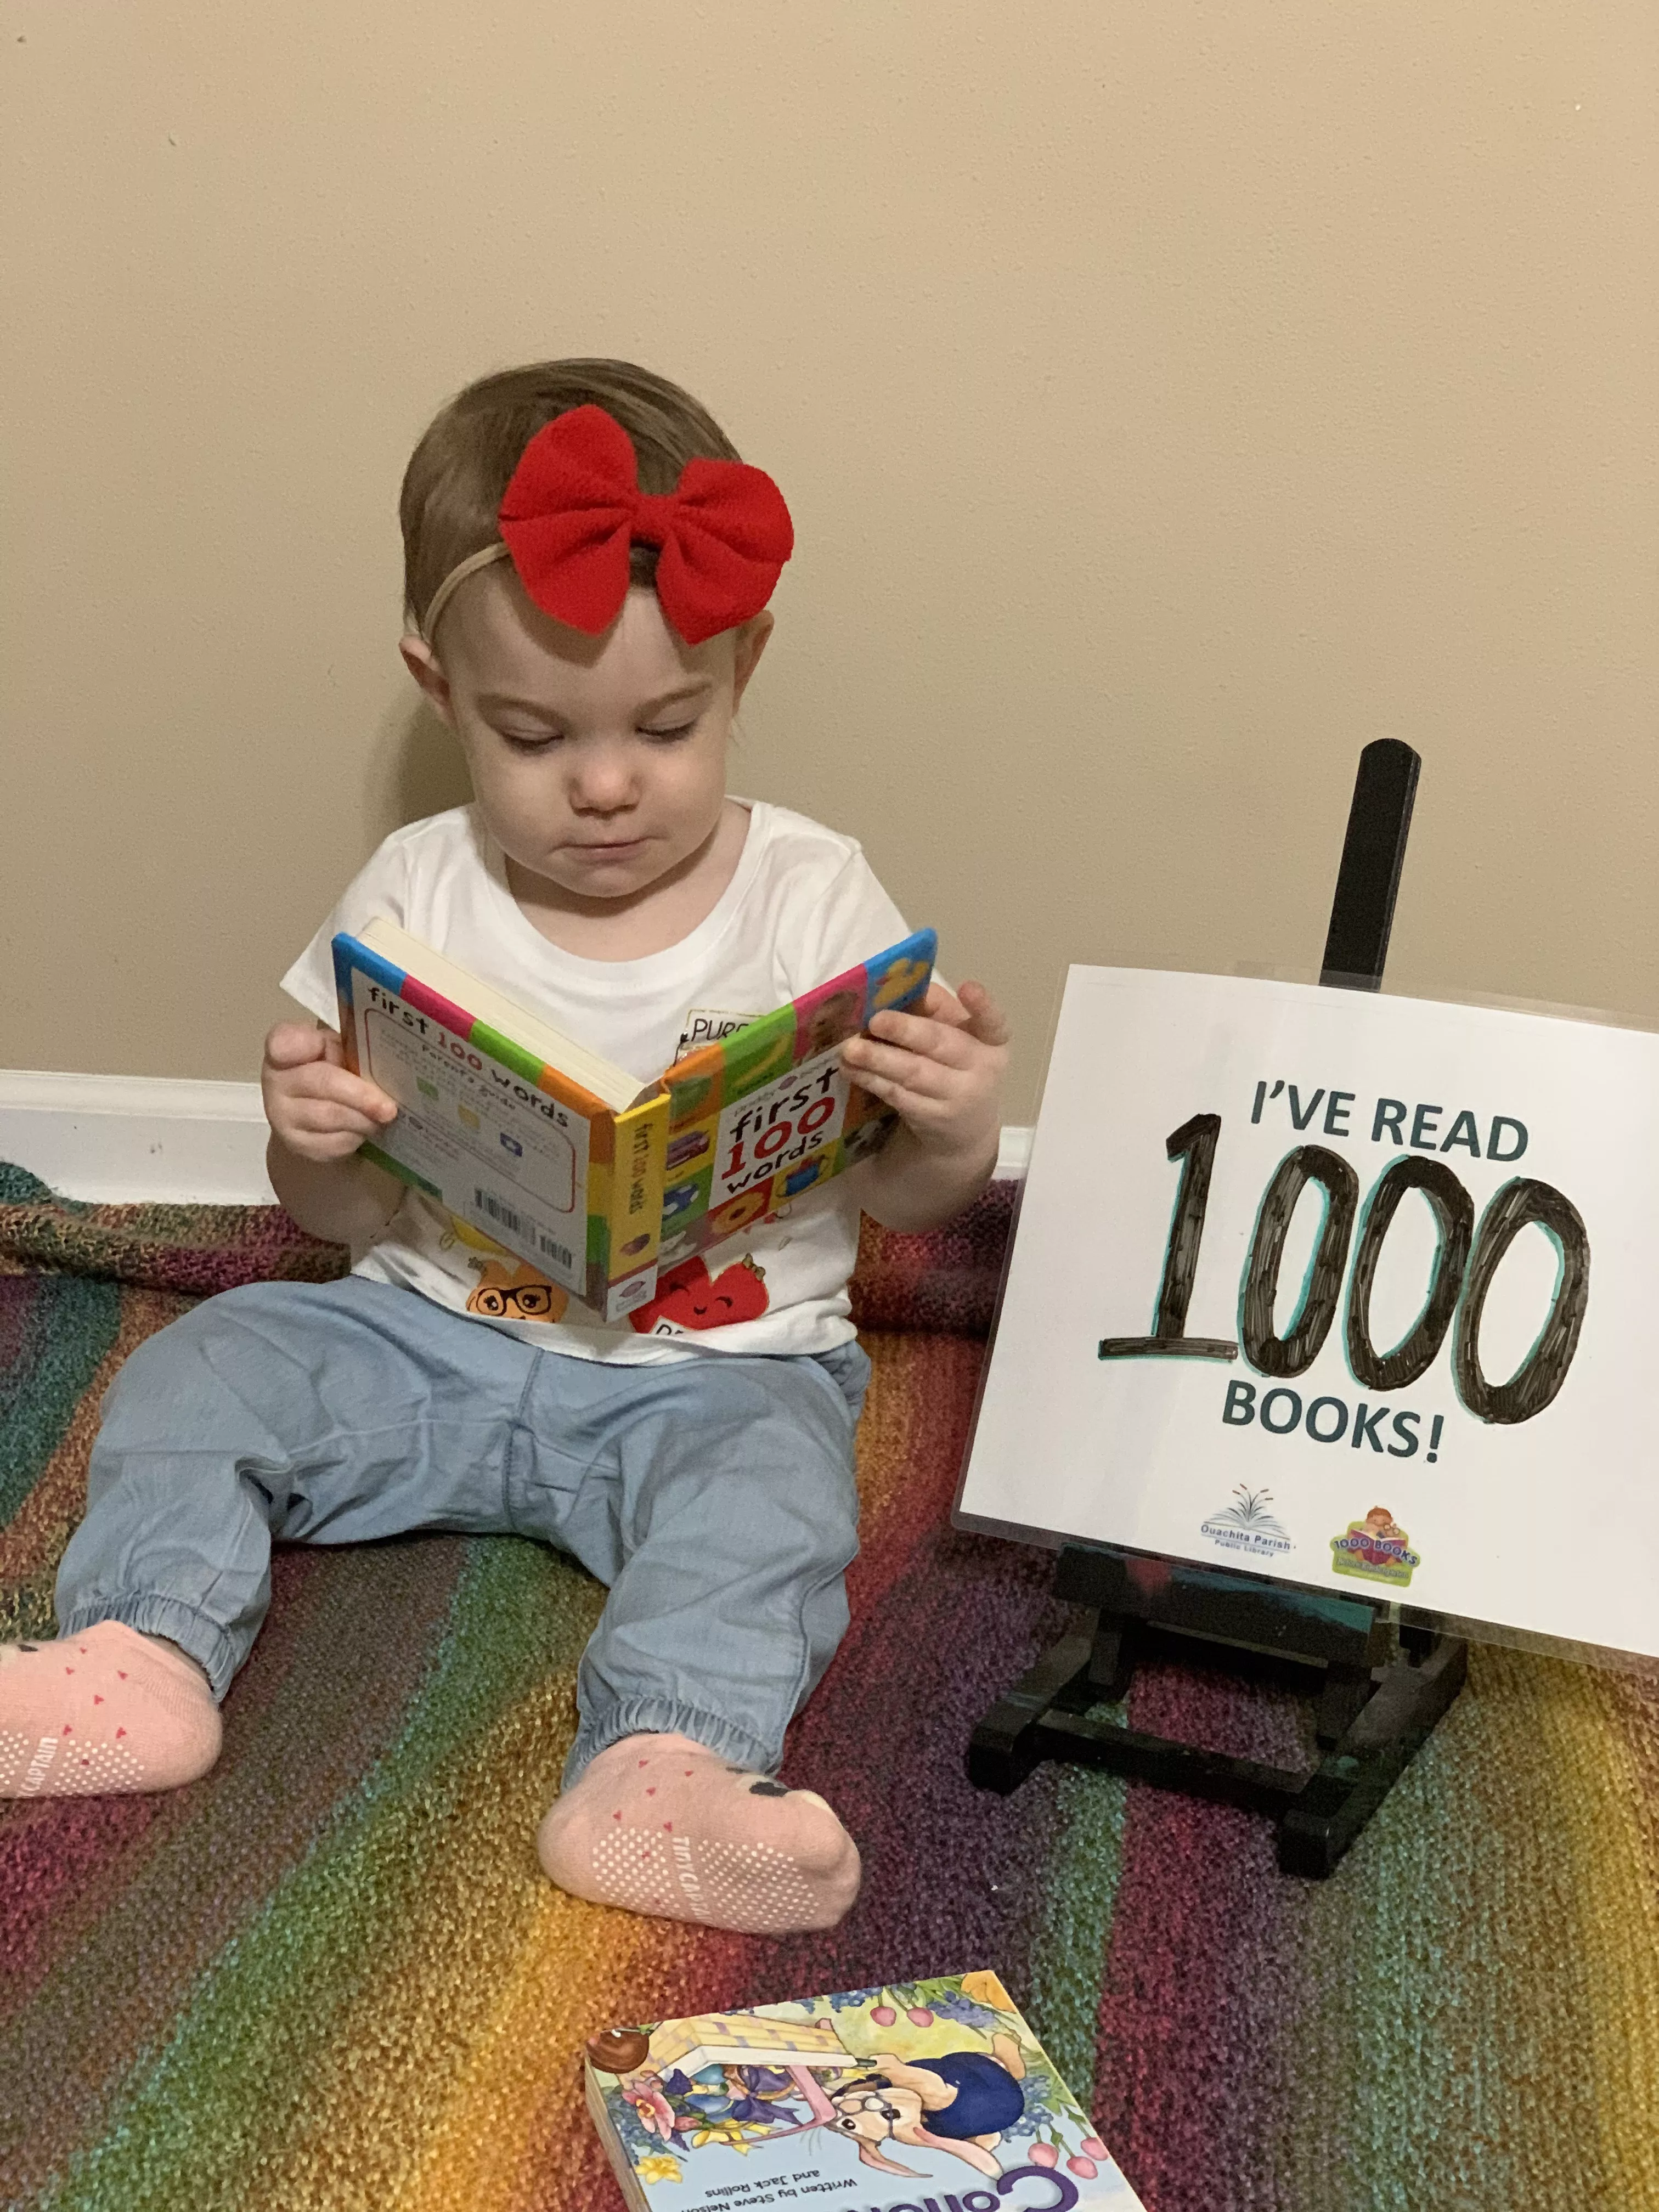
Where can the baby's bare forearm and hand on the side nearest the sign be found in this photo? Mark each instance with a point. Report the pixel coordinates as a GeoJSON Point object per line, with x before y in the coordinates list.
{"type": "Point", "coordinates": [943, 1072]}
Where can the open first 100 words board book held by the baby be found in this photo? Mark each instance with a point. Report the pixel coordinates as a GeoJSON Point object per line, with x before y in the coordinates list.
{"type": "Point", "coordinates": [570, 1160]}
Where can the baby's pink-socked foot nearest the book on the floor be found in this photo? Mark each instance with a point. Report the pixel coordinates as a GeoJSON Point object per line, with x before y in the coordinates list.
{"type": "Point", "coordinates": [665, 1826]}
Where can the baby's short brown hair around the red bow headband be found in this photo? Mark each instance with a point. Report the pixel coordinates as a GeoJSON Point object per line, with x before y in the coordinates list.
{"type": "Point", "coordinates": [459, 472]}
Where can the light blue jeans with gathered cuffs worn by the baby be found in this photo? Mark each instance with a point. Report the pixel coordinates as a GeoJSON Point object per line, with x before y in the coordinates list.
{"type": "Point", "coordinates": [716, 1496]}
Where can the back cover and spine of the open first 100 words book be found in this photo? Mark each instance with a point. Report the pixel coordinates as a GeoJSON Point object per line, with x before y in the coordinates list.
{"type": "Point", "coordinates": [503, 1140]}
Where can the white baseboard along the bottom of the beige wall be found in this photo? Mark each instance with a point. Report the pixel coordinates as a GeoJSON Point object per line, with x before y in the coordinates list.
{"type": "Point", "coordinates": [143, 1138]}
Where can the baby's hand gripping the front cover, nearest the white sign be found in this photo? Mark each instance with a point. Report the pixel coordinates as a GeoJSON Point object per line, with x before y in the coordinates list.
{"type": "Point", "coordinates": [941, 1067]}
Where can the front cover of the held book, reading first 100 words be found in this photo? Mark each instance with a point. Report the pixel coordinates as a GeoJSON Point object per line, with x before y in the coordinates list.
{"type": "Point", "coordinates": [766, 1114]}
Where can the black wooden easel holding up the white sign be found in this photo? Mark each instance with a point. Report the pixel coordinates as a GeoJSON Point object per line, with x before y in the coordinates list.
{"type": "Point", "coordinates": [1379, 1687]}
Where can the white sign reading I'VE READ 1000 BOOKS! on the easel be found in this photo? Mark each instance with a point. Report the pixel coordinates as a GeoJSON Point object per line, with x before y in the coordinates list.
{"type": "Point", "coordinates": [1344, 1291]}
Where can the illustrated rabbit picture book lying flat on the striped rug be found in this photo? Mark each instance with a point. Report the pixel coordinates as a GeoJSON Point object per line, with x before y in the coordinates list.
{"type": "Point", "coordinates": [926, 2098]}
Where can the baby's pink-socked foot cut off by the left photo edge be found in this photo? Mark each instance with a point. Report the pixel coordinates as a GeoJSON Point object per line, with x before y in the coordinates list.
{"type": "Point", "coordinates": [101, 1715]}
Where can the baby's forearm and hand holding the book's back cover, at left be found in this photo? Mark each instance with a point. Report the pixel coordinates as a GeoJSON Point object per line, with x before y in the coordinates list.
{"type": "Point", "coordinates": [320, 1114]}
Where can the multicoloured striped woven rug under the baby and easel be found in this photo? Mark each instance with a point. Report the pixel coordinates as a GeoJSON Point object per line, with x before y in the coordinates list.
{"type": "Point", "coordinates": [331, 1976]}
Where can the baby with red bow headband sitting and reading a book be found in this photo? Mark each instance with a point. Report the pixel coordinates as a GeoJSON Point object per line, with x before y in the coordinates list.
{"type": "Point", "coordinates": [587, 570]}
